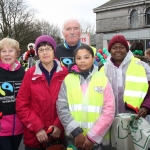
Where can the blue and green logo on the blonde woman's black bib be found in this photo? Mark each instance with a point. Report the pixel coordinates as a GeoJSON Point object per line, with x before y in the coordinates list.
{"type": "Point", "coordinates": [5, 86]}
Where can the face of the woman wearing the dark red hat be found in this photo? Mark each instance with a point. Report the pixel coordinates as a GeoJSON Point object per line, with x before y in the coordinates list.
{"type": "Point", "coordinates": [118, 52]}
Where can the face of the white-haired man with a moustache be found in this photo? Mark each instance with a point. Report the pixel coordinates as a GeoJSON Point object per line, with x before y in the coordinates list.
{"type": "Point", "coordinates": [72, 32]}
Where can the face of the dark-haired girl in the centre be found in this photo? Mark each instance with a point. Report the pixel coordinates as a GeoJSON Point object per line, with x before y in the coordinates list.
{"type": "Point", "coordinates": [84, 60]}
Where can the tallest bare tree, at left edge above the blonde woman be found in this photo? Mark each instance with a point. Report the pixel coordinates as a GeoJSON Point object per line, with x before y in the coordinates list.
{"type": "Point", "coordinates": [17, 21]}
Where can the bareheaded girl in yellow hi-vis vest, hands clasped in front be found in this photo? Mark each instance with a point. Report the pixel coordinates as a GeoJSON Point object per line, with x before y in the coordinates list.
{"type": "Point", "coordinates": [85, 103]}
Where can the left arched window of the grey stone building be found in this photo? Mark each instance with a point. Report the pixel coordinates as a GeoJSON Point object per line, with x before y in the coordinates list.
{"type": "Point", "coordinates": [134, 19]}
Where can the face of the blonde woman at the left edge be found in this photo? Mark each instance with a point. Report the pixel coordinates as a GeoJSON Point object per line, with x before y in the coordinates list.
{"type": "Point", "coordinates": [8, 55]}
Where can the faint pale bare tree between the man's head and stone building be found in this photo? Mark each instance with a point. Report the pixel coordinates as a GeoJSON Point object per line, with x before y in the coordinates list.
{"type": "Point", "coordinates": [87, 27]}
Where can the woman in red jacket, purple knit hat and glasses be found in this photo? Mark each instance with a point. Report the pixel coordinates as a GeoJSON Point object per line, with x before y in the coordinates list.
{"type": "Point", "coordinates": [36, 99]}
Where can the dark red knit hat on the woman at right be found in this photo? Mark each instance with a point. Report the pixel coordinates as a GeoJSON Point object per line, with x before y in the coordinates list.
{"type": "Point", "coordinates": [118, 39]}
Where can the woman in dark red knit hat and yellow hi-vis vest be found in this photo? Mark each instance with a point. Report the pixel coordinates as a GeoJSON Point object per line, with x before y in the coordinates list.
{"type": "Point", "coordinates": [130, 78]}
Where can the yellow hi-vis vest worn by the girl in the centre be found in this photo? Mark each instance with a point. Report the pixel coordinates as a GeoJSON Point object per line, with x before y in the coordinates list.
{"type": "Point", "coordinates": [85, 108]}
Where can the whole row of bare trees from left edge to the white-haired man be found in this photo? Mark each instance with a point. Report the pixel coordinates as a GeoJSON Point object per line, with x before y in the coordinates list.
{"type": "Point", "coordinates": [17, 21]}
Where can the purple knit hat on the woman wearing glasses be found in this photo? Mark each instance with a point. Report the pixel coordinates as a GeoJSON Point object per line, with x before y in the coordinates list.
{"type": "Point", "coordinates": [45, 38]}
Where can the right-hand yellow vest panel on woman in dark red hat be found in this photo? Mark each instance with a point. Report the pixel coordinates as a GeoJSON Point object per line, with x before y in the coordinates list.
{"type": "Point", "coordinates": [136, 85]}
